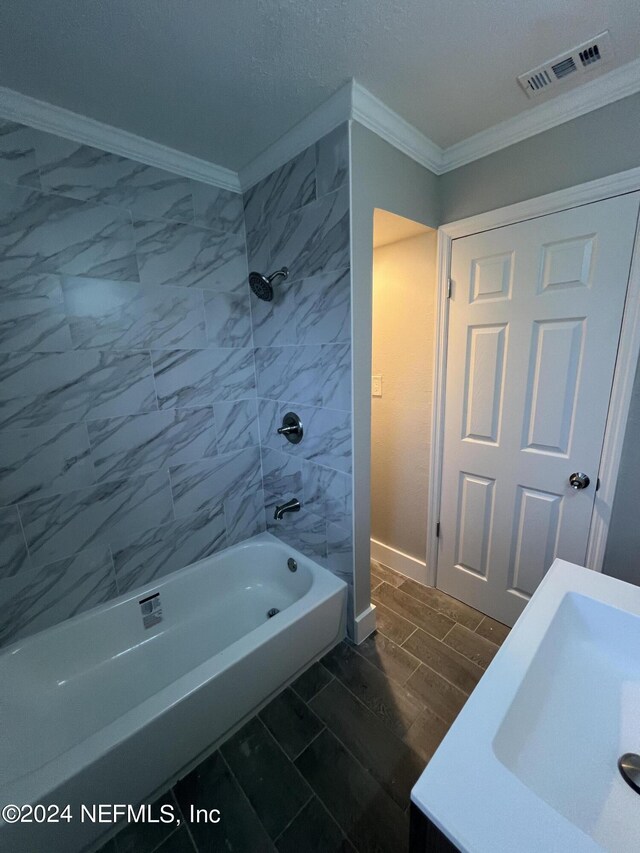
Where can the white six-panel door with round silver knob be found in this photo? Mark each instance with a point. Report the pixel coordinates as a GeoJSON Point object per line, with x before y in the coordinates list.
{"type": "Point", "coordinates": [535, 316]}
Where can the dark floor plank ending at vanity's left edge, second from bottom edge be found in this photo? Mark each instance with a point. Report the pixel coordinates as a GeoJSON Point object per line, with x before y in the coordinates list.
{"type": "Point", "coordinates": [386, 757]}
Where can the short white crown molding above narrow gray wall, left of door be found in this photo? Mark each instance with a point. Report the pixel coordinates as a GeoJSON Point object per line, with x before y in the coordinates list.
{"type": "Point", "coordinates": [379, 118]}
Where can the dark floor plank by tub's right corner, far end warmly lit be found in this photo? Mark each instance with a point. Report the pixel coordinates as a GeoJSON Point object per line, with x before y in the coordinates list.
{"type": "Point", "coordinates": [392, 703]}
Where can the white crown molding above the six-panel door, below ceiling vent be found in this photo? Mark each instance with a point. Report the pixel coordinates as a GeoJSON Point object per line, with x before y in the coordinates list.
{"type": "Point", "coordinates": [613, 86]}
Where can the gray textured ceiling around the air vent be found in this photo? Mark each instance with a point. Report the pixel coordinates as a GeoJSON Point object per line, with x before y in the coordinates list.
{"type": "Point", "coordinates": [223, 79]}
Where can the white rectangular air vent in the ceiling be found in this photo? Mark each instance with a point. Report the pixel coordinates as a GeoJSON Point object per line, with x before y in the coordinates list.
{"type": "Point", "coordinates": [592, 56]}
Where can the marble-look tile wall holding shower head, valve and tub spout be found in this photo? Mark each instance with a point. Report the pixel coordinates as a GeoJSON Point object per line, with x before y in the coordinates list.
{"type": "Point", "coordinates": [299, 217]}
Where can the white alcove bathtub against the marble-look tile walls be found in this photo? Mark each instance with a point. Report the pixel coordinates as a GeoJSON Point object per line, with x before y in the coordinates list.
{"type": "Point", "coordinates": [101, 709]}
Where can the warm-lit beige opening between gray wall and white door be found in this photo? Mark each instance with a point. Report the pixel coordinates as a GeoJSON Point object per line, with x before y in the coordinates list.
{"type": "Point", "coordinates": [403, 332]}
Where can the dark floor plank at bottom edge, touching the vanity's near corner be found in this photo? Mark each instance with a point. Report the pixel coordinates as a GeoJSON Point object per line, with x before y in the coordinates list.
{"type": "Point", "coordinates": [366, 813]}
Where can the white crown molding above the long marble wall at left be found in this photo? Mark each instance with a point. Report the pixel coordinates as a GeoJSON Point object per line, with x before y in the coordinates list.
{"type": "Point", "coordinates": [52, 119]}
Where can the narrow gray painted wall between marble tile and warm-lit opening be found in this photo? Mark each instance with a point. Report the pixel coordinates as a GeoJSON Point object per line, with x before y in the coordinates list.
{"type": "Point", "coordinates": [381, 177]}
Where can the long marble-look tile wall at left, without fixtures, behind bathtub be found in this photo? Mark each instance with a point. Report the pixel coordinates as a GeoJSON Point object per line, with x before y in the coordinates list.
{"type": "Point", "coordinates": [129, 421]}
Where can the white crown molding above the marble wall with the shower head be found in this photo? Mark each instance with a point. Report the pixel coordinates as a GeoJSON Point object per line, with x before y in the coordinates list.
{"type": "Point", "coordinates": [325, 118]}
